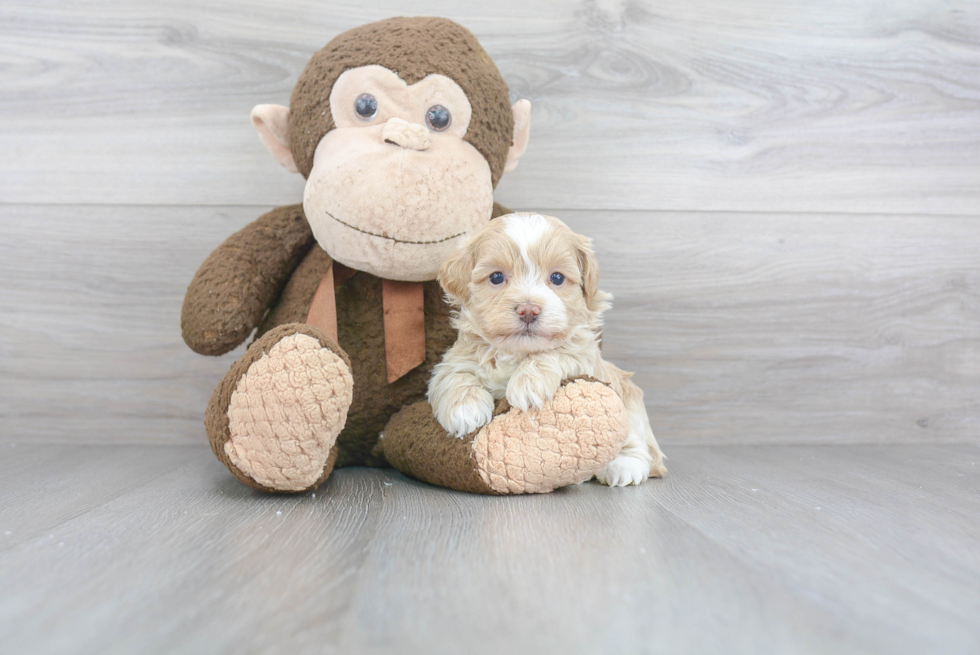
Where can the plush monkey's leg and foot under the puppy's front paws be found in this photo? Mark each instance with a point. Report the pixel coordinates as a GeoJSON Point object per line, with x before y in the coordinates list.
{"type": "Point", "coordinates": [567, 441]}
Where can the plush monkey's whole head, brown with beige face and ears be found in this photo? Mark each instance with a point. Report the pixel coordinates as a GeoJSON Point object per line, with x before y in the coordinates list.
{"type": "Point", "coordinates": [401, 158]}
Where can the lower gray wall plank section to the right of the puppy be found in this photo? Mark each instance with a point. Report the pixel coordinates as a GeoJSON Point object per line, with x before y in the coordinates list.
{"type": "Point", "coordinates": [795, 327]}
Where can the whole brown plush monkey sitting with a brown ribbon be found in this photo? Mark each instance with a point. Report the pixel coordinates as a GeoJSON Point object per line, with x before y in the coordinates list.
{"type": "Point", "coordinates": [402, 129]}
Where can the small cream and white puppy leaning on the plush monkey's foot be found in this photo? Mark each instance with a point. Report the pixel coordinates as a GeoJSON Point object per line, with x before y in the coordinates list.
{"type": "Point", "coordinates": [529, 316]}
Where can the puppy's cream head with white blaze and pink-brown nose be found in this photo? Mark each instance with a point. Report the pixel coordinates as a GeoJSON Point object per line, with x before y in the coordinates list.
{"type": "Point", "coordinates": [525, 282]}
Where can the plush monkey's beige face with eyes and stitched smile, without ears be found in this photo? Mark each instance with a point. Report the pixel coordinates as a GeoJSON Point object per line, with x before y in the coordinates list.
{"type": "Point", "coordinates": [394, 188]}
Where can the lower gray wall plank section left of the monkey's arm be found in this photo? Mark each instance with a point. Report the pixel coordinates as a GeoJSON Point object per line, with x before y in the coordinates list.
{"type": "Point", "coordinates": [90, 343]}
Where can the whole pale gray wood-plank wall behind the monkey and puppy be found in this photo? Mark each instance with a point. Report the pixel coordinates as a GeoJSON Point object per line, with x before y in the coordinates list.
{"type": "Point", "coordinates": [785, 199]}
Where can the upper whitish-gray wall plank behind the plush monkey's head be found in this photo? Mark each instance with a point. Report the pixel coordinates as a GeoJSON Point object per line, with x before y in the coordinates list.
{"type": "Point", "coordinates": [753, 106]}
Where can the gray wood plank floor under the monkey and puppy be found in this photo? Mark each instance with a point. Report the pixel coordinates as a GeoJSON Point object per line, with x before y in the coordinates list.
{"type": "Point", "coordinates": [741, 549]}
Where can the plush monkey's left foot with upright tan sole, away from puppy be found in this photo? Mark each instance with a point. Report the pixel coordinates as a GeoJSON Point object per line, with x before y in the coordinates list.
{"type": "Point", "coordinates": [275, 417]}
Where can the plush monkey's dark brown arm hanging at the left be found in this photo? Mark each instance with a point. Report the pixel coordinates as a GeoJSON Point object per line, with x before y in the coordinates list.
{"type": "Point", "coordinates": [238, 282]}
